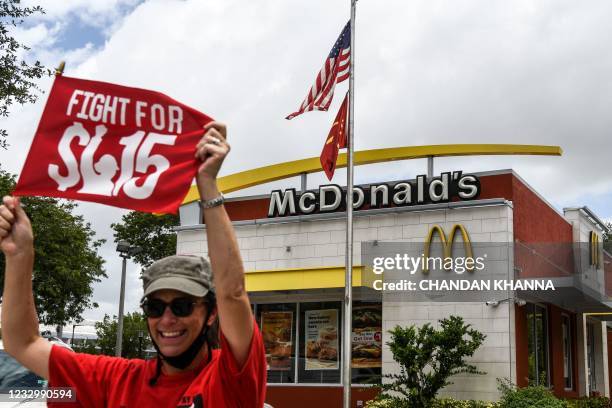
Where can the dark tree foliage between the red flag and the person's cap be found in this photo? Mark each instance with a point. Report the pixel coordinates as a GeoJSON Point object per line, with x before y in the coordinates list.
{"type": "Point", "coordinates": [151, 232]}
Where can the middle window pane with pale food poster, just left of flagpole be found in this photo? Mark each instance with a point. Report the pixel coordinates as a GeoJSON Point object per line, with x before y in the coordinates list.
{"type": "Point", "coordinates": [320, 342]}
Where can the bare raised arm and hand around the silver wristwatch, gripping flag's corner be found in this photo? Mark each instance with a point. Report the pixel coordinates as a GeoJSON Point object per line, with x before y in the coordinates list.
{"type": "Point", "coordinates": [235, 317]}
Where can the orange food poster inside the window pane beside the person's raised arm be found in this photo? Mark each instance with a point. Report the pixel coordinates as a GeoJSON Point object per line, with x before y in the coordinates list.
{"type": "Point", "coordinates": [276, 329]}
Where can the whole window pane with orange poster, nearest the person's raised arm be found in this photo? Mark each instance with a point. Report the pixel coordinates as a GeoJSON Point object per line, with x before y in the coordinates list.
{"type": "Point", "coordinates": [277, 323]}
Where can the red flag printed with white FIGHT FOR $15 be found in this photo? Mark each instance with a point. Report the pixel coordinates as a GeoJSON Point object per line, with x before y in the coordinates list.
{"type": "Point", "coordinates": [111, 144]}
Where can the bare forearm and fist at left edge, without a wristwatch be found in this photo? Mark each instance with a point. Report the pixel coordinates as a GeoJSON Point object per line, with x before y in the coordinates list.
{"type": "Point", "coordinates": [19, 320]}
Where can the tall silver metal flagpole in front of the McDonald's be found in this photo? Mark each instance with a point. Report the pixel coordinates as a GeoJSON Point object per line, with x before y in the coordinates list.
{"type": "Point", "coordinates": [348, 274]}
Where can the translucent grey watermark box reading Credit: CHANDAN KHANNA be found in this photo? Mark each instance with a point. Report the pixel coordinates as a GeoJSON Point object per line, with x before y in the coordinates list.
{"type": "Point", "coordinates": [471, 271]}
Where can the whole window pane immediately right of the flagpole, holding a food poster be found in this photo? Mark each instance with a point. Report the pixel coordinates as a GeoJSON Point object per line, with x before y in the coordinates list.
{"type": "Point", "coordinates": [367, 343]}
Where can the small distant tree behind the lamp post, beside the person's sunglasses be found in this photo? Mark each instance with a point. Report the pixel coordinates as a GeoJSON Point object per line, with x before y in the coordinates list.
{"type": "Point", "coordinates": [133, 324]}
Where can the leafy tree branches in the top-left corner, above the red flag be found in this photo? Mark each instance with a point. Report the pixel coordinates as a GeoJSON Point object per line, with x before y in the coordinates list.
{"type": "Point", "coordinates": [17, 76]}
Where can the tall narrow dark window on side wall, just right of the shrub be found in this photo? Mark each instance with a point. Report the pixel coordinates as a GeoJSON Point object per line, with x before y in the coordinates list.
{"type": "Point", "coordinates": [537, 331]}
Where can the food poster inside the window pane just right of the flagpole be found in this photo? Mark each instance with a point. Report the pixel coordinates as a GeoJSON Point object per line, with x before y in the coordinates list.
{"type": "Point", "coordinates": [366, 343]}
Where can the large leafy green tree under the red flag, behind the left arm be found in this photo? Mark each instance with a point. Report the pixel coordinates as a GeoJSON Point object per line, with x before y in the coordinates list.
{"type": "Point", "coordinates": [66, 262]}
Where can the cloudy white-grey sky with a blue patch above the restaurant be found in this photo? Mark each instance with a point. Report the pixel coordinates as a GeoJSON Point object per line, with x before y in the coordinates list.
{"type": "Point", "coordinates": [427, 72]}
